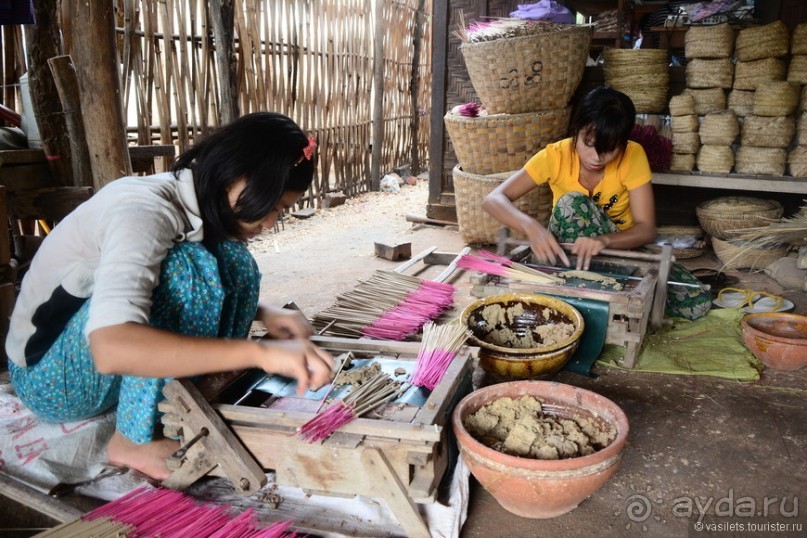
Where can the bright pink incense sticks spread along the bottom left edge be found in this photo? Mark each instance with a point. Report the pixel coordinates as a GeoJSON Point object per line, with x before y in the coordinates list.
{"type": "Point", "coordinates": [149, 511]}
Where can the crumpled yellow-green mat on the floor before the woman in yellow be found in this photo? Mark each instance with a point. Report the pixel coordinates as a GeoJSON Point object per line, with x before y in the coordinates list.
{"type": "Point", "coordinates": [711, 346]}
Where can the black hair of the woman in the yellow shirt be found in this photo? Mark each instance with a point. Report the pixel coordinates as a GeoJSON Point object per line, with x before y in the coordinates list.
{"type": "Point", "coordinates": [609, 113]}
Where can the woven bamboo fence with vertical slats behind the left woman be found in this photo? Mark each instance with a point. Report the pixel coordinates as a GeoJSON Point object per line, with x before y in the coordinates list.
{"type": "Point", "coordinates": [310, 59]}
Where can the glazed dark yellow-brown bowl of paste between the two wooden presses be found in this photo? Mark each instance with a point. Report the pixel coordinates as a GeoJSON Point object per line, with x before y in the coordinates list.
{"type": "Point", "coordinates": [523, 335]}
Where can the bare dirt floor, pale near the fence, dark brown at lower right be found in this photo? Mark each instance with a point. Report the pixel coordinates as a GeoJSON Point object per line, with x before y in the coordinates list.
{"type": "Point", "coordinates": [705, 455]}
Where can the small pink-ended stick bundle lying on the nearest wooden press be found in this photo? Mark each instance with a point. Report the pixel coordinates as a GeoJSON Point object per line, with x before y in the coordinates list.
{"type": "Point", "coordinates": [378, 390]}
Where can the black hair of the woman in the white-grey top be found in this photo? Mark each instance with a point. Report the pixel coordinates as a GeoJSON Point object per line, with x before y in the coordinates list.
{"type": "Point", "coordinates": [263, 148]}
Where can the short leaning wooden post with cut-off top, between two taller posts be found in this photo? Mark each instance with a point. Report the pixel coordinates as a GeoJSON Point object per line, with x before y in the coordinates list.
{"type": "Point", "coordinates": [64, 76]}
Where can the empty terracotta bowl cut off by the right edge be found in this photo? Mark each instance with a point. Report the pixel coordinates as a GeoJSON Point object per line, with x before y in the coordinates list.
{"type": "Point", "coordinates": [777, 339]}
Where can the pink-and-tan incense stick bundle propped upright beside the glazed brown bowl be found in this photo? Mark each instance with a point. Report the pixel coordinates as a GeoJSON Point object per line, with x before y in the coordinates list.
{"type": "Point", "coordinates": [438, 348]}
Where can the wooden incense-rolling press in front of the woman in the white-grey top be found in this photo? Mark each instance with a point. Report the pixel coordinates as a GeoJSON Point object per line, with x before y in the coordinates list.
{"type": "Point", "coordinates": [400, 452]}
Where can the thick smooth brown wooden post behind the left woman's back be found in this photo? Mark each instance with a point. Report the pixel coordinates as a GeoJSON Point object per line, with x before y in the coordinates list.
{"type": "Point", "coordinates": [94, 57]}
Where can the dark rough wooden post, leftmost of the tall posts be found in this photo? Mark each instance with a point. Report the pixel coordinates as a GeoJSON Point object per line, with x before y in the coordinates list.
{"type": "Point", "coordinates": [43, 42]}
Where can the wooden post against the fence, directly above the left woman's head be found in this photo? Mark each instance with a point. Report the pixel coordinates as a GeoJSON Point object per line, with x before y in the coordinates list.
{"type": "Point", "coordinates": [222, 13]}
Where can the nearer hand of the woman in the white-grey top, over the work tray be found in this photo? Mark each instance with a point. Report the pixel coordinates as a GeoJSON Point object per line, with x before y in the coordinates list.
{"type": "Point", "coordinates": [299, 359]}
